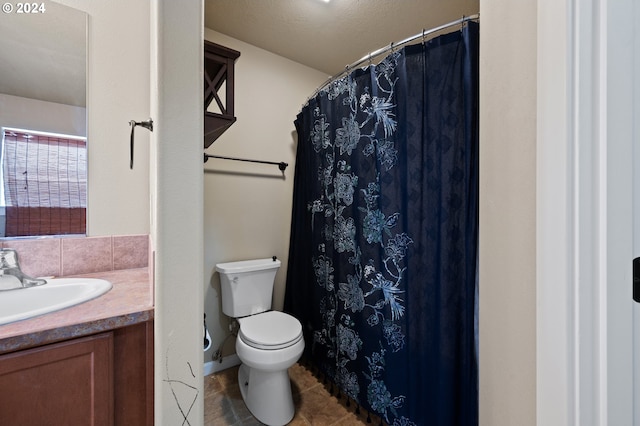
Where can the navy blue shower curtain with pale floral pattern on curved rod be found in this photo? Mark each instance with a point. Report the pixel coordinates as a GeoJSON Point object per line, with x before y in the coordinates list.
{"type": "Point", "coordinates": [382, 260]}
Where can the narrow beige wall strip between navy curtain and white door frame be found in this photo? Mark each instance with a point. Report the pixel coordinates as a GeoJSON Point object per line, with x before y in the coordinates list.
{"type": "Point", "coordinates": [507, 212]}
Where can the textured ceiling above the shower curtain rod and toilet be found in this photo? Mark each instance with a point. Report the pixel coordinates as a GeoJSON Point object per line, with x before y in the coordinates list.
{"type": "Point", "coordinates": [328, 36]}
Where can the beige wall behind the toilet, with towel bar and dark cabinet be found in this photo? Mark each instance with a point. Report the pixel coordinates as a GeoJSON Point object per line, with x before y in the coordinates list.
{"type": "Point", "coordinates": [247, 206]}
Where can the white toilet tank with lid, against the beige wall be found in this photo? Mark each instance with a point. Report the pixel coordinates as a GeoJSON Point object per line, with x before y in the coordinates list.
{"type": "Point", "coordinates": [247, 286]}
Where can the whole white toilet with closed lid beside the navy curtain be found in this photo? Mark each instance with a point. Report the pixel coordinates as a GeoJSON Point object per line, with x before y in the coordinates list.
{"type": "Point", "coordinates": [268, 343]}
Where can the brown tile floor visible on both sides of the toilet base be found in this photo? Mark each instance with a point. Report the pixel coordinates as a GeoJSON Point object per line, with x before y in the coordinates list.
{"type": "Point", "coordinates": [314, 403]}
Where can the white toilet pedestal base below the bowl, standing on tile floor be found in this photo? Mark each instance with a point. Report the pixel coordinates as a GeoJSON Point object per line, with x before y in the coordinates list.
{"type": "Point", "coordinates": [267, 395]}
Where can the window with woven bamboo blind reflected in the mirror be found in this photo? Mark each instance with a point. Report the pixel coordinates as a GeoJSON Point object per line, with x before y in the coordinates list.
{"type": "Point", "coordinates": [45, 184]}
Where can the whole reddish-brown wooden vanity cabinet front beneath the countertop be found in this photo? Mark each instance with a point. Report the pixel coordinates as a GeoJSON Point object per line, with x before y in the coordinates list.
{"type": "Point", "coordinates": [101, 379]}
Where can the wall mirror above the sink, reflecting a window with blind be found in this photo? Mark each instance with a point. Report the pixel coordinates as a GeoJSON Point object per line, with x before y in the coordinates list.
{"type": "Point", "coordinates": [43, 92]}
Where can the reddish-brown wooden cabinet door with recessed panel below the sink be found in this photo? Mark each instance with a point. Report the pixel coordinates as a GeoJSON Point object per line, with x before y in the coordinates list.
{"type": "Point", "coordinates": [68, 383]}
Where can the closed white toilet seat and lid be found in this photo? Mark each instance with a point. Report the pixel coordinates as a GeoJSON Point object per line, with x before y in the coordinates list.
{"type": "Point", "coordinates": [270, 330]}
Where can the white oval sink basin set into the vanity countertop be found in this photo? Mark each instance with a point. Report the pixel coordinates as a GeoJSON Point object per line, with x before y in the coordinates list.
{"type": "Point", "coordinates": [56, 294]}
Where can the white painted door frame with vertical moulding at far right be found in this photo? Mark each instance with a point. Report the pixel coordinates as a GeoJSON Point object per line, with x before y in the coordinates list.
{"type": "Point", "coordinates": [584, 212]}
